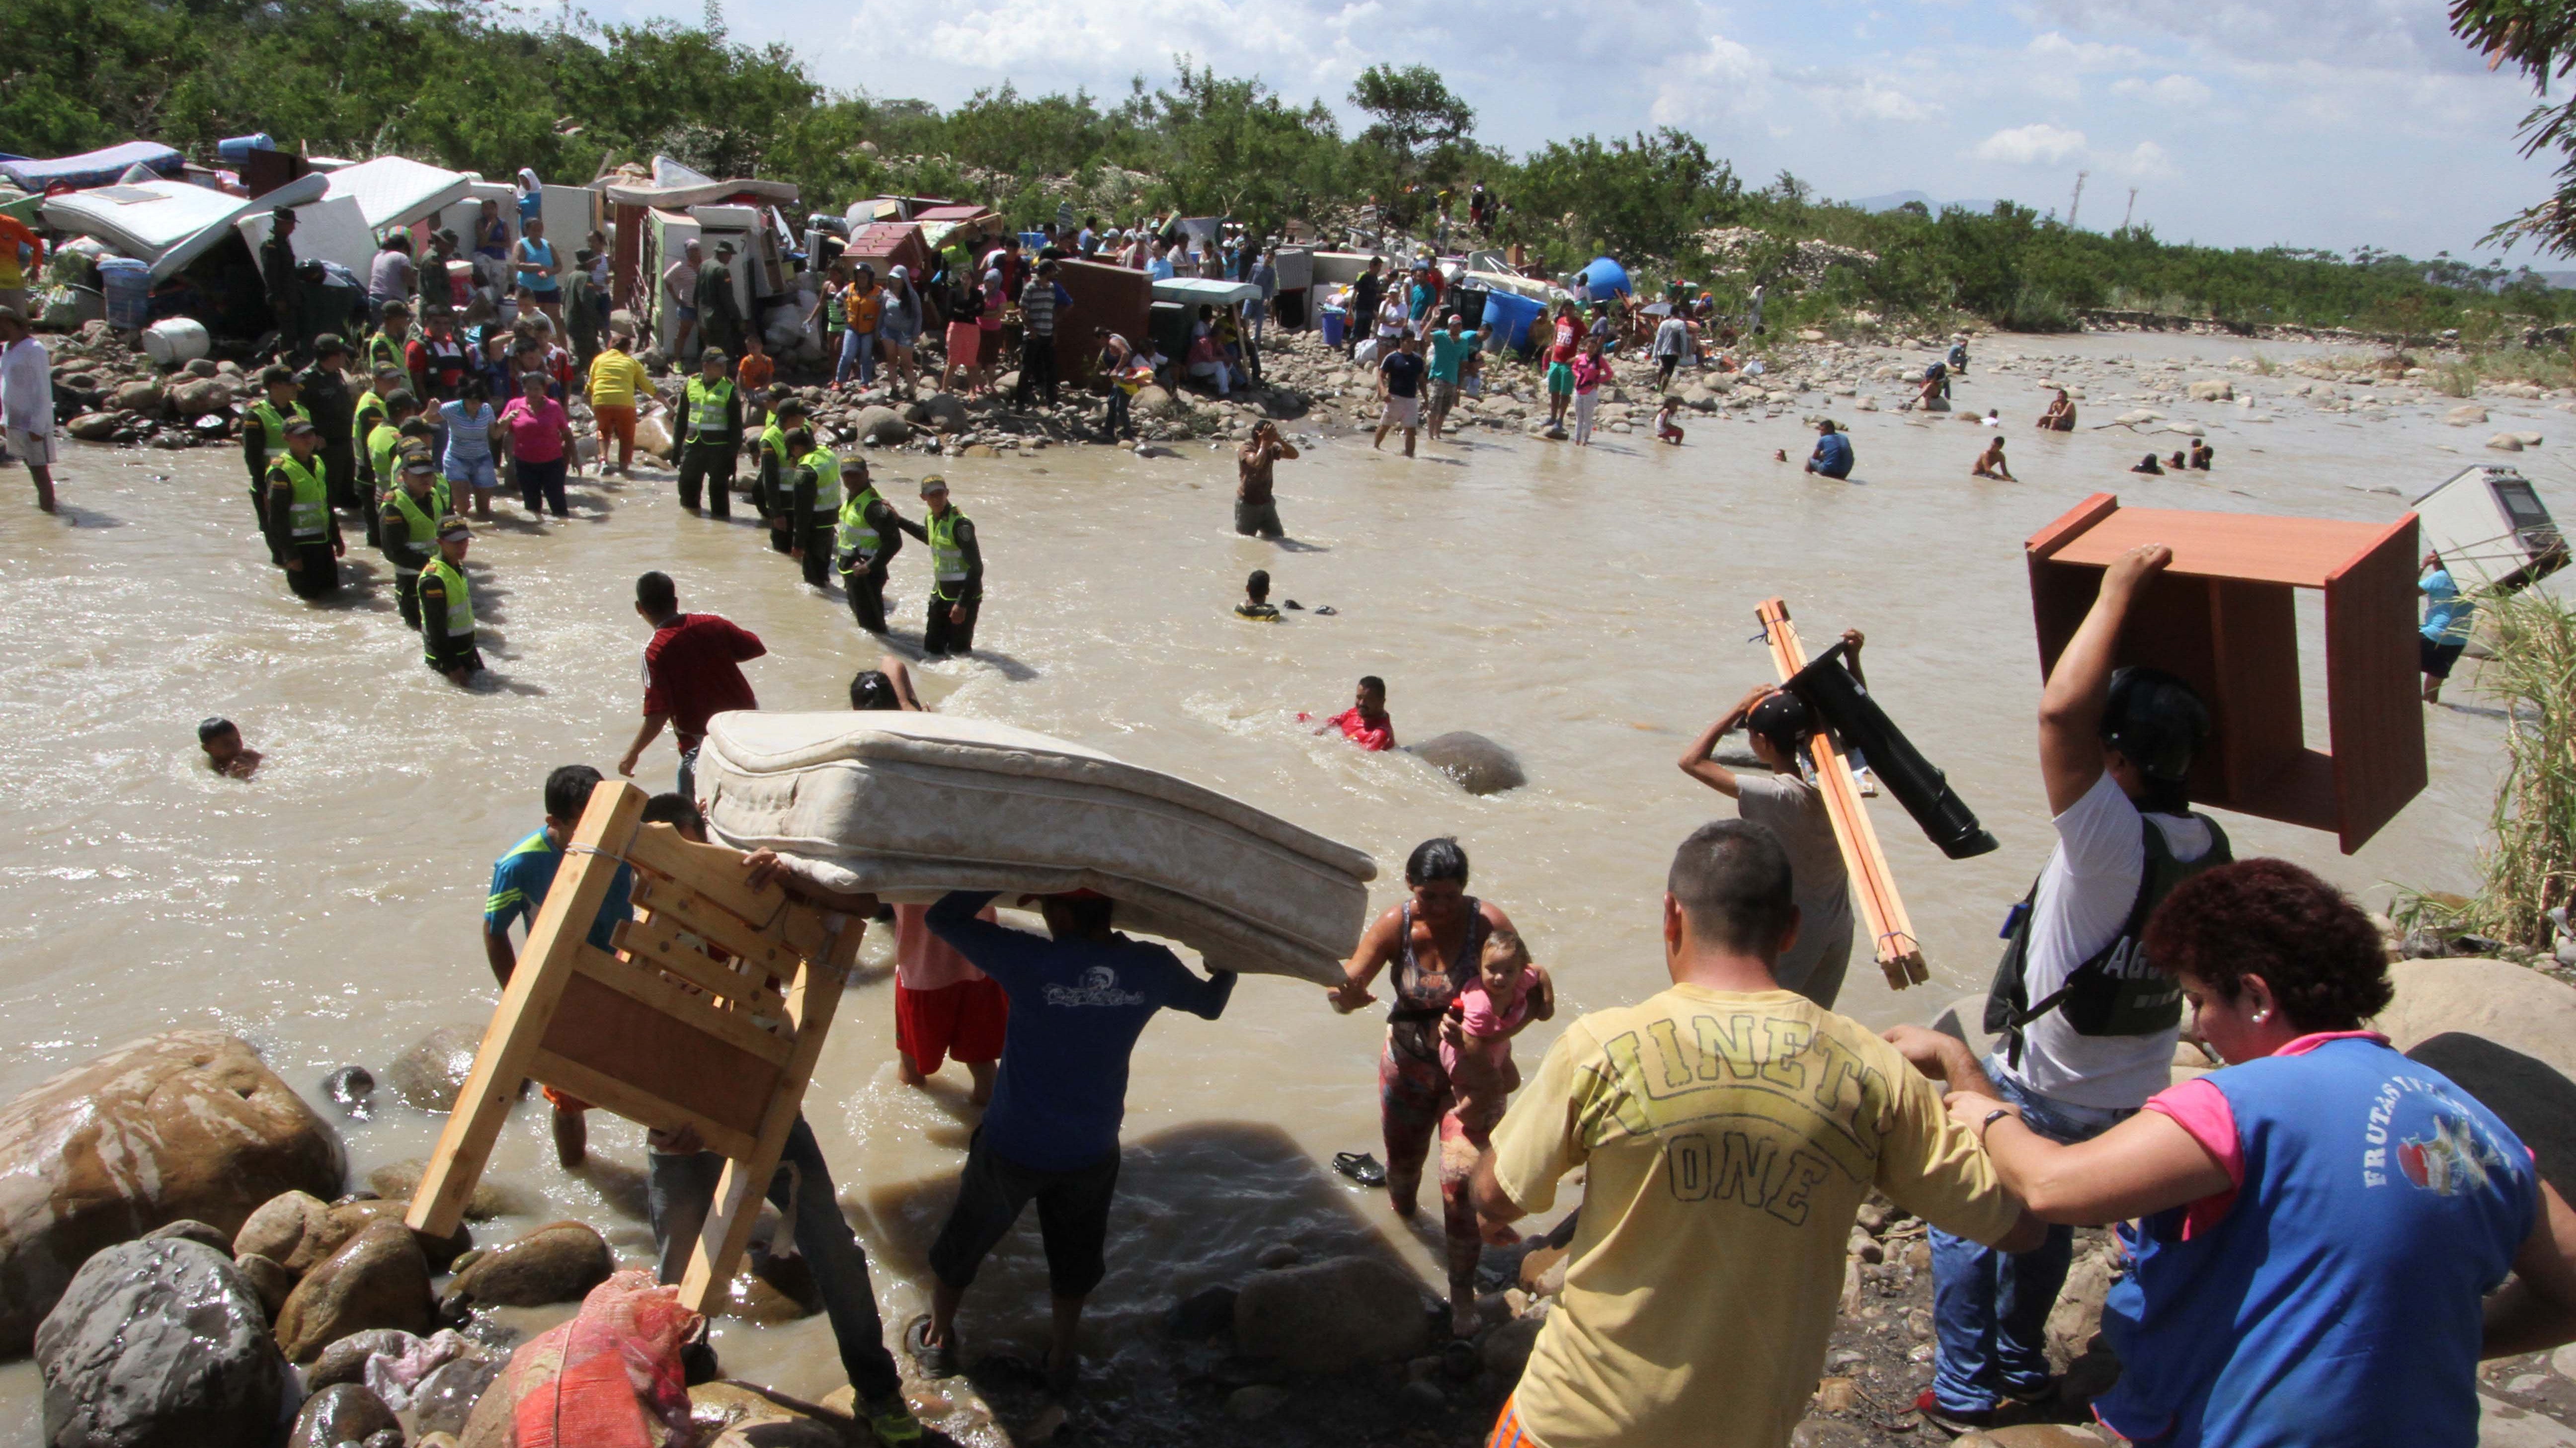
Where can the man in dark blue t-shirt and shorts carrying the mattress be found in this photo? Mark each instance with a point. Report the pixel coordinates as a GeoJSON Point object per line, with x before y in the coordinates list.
{"type": "Point", "coordinates": [1052, 1130]}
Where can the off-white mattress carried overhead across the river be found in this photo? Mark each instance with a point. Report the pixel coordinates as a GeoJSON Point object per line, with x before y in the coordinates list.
{"type": "Point", "coordinates": [916, 805]}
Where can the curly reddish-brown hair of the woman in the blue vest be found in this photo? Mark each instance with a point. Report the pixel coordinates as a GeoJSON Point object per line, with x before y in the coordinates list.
{"type": "Point", "coordinates": [2271, 919]}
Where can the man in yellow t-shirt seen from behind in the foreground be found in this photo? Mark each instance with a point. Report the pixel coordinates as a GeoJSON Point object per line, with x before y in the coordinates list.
{"type": "Point", "coordinates": [1732, 1132]}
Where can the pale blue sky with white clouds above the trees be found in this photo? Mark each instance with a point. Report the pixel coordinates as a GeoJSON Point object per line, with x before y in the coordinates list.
{"type": "Point", "coordinates": [2240, 122]}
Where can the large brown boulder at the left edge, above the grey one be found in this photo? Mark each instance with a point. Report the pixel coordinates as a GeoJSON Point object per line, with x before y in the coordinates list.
{"type": "Point", "coordinates": [174, 1127]}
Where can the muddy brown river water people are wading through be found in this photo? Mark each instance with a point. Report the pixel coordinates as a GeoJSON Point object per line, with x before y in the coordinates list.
{"type": "Point", "coordinates": [1591, 609]}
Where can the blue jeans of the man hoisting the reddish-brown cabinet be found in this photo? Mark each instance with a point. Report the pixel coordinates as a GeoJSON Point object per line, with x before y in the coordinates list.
{"type": "Point", "coordinates": [1990, 1310]}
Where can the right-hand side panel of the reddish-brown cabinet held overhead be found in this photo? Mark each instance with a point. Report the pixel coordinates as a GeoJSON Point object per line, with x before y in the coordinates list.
{"type": "Point", "coordinates": [2374, 694]}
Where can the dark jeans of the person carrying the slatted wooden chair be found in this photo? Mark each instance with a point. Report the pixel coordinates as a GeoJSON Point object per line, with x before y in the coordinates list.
{"type": "Point", "coordinates": [684, 1189]}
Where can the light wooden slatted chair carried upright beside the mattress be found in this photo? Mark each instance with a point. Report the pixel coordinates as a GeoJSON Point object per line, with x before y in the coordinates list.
{"type": "Point", "coordinates": [661, 1032]}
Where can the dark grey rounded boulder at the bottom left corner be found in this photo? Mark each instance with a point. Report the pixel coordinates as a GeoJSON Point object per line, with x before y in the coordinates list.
{"type": "Point", "coordinates": [161, 1346]}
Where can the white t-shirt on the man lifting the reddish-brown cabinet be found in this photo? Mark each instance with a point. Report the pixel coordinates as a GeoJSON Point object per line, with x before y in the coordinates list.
{"type": "Point", "coordinates": [2085, 898]}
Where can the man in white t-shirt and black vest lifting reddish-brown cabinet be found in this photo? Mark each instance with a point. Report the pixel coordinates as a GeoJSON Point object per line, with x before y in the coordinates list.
{"type": "Point", "coordinates": [2085, 1022]}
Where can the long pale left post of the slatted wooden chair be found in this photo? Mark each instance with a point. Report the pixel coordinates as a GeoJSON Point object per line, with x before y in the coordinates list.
{"type": "Point", "coordinates": [527, 1009]}
